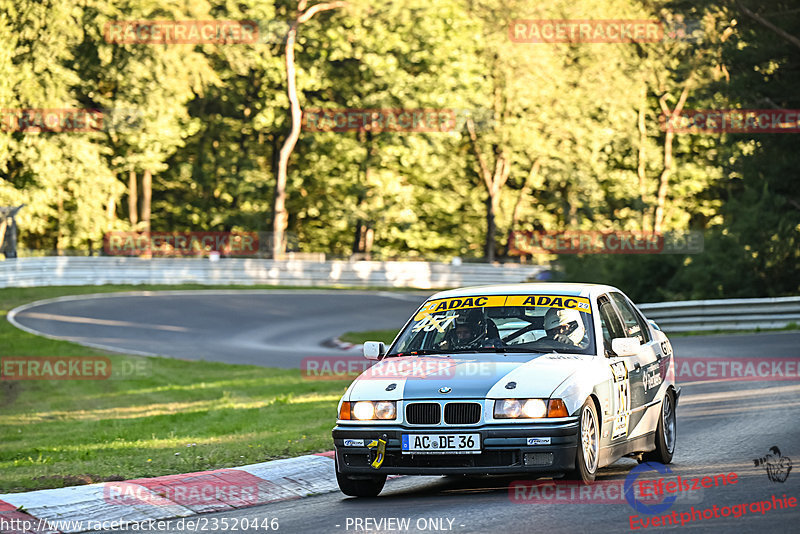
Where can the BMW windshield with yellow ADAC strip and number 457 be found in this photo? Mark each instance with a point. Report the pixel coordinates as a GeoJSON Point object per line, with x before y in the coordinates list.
{"type": "Point", "coordinates": [499, 323]}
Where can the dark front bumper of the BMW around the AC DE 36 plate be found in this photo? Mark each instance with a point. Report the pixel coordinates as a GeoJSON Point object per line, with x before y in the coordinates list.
{"type": "Point", "coordinates": [504, 450]}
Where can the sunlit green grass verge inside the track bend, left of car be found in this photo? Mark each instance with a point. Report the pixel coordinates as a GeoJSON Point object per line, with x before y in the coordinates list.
{"type": "Point", "coordinates": [170, 416]}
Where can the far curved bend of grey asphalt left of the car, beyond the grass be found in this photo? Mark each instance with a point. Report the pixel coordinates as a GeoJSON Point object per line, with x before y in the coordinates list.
{"type": "Point", "coordinates": [272, 328]}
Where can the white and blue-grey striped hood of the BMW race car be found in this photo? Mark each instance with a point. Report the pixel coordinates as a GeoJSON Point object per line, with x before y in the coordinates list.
{"type": "Point", "coordinates": [466, 375]}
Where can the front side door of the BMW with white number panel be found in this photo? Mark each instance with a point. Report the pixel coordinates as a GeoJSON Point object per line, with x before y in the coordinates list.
{"type": "Point", "coordinates": [611, 325]}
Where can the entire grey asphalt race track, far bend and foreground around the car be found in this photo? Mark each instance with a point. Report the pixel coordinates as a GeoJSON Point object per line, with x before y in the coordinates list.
{"type": "Point", "coordinates": [722, 426]}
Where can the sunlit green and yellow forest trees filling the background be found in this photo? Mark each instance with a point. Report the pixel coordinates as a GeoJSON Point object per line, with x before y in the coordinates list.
{"type": "Point", "coordinates": [208, 121]}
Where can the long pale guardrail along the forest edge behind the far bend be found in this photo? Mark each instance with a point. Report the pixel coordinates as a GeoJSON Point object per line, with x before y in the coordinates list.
{"type": "Point", "coordinates": [74, 270]}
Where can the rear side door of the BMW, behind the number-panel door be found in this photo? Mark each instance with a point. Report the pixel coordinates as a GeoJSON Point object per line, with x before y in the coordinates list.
{"type": "Point", "coordinates": [643, 367]}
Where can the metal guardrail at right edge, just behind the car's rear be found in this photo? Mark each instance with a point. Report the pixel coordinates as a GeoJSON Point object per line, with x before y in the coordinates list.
{"type": "Point", "coordinates": [724, 314]}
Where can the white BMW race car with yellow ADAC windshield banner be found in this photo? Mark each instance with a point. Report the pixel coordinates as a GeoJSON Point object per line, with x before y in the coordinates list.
{"type": "Point", "coordinates": [545, 379]}
